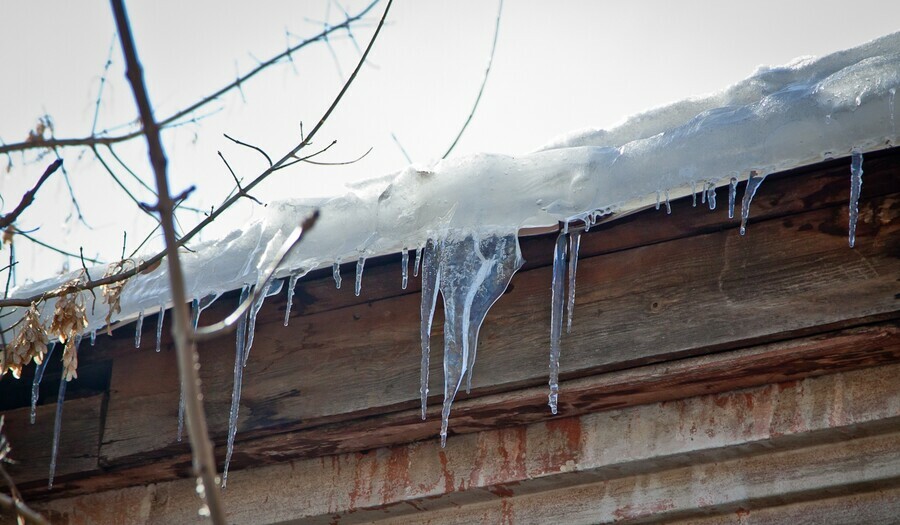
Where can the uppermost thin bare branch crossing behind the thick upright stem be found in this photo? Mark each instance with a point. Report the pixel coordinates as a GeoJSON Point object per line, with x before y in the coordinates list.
{"type": "Point", "coordinates": [167, 122]}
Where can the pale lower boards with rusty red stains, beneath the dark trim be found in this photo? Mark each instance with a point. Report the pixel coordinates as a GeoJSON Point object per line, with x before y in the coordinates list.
{"type": "Point", "coordinates": [796, 441]}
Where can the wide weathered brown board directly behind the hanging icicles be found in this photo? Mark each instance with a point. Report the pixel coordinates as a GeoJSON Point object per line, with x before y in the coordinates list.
{"type": "Point", "coordinates": [668, 300]}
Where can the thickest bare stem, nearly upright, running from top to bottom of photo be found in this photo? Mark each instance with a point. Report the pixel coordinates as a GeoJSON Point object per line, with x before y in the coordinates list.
{"type": "Point", "coordinates": [186, 350]}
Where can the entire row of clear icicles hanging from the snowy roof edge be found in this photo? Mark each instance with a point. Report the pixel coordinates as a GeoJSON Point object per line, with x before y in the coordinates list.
{"type": "Point", "coordinates": [467, 298]}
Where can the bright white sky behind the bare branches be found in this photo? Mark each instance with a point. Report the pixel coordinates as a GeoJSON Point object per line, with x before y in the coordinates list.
{"type": "Point", "coordinates": [559, 66]}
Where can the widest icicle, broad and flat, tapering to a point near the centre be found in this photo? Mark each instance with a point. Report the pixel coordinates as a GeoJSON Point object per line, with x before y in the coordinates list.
{"type": "Point", "coordinates": [473, 274]}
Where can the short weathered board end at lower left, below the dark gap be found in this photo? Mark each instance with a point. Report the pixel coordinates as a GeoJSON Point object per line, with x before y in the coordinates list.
{"type": "Point", "coordinates": [78, 446]}
